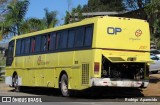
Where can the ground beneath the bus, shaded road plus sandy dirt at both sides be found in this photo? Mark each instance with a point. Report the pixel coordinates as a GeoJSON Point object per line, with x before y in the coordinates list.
{"type": "Point", "coordinates": [100, 96]}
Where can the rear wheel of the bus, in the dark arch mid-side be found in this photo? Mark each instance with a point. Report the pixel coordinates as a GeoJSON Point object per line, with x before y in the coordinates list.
{"type": "Point", "coordinates": [64, 85]}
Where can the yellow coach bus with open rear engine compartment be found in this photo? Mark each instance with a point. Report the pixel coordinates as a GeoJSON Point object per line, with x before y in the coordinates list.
{"type": "Point", "coordinates": [95, 52]}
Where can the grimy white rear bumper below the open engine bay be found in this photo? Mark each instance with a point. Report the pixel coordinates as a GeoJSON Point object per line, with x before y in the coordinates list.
{"type": "Point", "coordinates": [118, 82]}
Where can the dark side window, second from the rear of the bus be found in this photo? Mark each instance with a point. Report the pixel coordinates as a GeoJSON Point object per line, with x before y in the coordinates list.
{"type": "Point", "coordinates": [79, 37]}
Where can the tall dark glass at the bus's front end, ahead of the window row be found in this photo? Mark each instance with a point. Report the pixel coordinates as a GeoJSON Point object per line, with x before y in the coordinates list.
{"type": "Point", "coordinates": [10, 53]}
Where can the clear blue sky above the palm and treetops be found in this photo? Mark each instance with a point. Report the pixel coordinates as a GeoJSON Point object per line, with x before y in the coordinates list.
{"type": "Point", "coordinates": [36, 7]}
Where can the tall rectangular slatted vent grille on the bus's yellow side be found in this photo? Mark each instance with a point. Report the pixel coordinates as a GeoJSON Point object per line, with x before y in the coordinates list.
{"type": "Point", "coordinates": [85, 73]}
